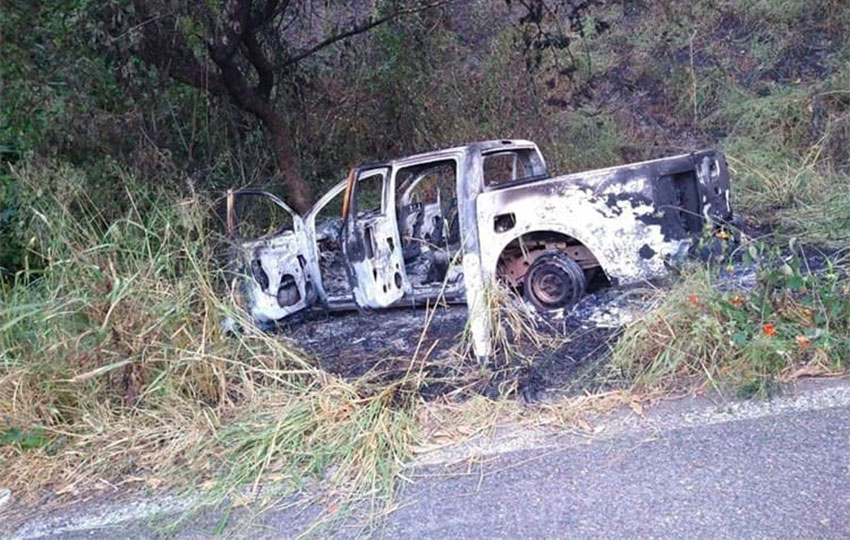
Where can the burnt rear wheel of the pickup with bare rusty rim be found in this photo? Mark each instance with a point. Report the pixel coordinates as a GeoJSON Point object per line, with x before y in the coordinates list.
{"type": "Point", "coordinates": [554, 281]}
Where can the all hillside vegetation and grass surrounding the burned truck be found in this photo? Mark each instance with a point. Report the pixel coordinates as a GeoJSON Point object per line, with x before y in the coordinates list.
{"type": "Point", "coordinates": [114, 369]}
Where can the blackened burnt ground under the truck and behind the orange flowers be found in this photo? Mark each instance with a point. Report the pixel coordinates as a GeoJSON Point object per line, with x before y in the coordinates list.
{"type": "Point", "coordinates": [571, 355]}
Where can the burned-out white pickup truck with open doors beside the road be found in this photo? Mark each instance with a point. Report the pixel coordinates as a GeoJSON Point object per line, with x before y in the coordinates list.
{"type": "Point", "coordinates": [447, 225]}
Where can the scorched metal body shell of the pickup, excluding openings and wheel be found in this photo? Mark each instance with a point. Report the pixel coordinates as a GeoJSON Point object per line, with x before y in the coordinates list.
{"type": "Point", "coordinates": [628, 223]}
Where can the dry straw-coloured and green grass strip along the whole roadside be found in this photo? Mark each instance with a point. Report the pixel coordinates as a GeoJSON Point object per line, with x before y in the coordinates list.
{"type": "Point", "coordinates": [115, 371]}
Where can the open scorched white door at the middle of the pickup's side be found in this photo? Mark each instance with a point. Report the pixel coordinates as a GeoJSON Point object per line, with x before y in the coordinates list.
{"type": "Point", "coordinates": [370, 239]}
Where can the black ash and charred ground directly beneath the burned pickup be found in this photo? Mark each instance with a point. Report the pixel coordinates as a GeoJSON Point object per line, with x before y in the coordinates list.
{"type": "Point", "coordinates": [382, 346]}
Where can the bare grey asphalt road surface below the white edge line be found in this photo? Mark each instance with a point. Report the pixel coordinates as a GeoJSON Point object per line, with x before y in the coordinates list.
{"type": "Point", "coordinates": [783, 476]}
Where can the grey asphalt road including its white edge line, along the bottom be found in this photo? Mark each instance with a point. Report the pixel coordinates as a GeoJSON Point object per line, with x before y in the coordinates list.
{"type": "Point", "coordinates": [688, 470]}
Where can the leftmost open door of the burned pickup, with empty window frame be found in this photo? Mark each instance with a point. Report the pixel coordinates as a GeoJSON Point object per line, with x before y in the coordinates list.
{"type": "Point", "coordinates": [274, 267]}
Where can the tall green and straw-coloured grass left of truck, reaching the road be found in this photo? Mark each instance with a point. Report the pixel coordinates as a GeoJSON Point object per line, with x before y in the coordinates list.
{"type": "Point", "coordinates": [114, 367]}
